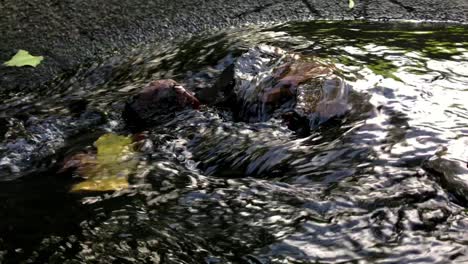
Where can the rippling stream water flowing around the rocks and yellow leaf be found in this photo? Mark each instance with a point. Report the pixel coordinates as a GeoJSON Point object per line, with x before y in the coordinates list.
{"type": "Point", "coordinates": [364, 188]}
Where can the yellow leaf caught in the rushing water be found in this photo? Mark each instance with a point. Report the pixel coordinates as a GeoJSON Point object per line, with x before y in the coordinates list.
{"type": "Point", "coordinates": [108, 170]}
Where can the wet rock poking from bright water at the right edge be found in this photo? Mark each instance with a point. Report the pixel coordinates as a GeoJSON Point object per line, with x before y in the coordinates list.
{"type": "Point", "coordinates": [450, 164]}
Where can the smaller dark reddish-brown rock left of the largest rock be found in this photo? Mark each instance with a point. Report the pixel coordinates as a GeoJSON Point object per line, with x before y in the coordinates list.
{"type": "Point", "coordinates": [159, 98]}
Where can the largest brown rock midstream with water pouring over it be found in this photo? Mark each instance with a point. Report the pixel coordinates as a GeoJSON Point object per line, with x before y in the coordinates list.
{"type": "Point", "coordinates": [270, 82]}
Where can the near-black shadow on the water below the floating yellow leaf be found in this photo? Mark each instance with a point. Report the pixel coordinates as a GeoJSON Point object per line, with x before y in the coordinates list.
{"type": "Point", "coordinates": [34, 208]}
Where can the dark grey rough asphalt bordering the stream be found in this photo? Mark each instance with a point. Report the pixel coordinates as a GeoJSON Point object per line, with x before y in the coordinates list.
{"type": "Point", "coordinates": [69, 32]}
